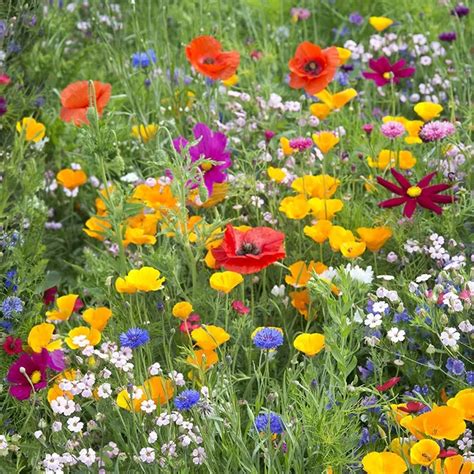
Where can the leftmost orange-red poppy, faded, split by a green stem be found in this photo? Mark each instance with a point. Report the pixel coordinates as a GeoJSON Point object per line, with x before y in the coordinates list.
{"type": "Point", "coordinates": [75, 101]}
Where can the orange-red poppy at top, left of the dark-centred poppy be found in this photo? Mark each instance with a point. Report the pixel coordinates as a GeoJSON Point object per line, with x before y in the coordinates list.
{"type": "Point", "coordinates": [206, 56]}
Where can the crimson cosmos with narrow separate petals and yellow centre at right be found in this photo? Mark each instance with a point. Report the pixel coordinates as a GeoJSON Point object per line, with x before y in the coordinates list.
{"type": "Point", "coordinates": [413, 195]}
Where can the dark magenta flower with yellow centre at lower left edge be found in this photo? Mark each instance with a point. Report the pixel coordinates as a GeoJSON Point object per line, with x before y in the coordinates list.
{"type": "Point", "coordinates": [28, 372]}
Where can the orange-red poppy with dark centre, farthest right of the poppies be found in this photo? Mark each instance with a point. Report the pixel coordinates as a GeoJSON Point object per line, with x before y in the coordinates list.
{"type": "Point", "coordinates": [313, 68]}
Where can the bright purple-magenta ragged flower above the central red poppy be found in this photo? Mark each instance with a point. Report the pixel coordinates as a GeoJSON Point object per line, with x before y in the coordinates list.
{"type": "Point", "coordinates": [212, 147]}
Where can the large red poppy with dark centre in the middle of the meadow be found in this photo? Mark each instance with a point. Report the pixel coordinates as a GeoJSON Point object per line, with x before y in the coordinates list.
{"type": "Point", "coordinates": [249, 251]}
